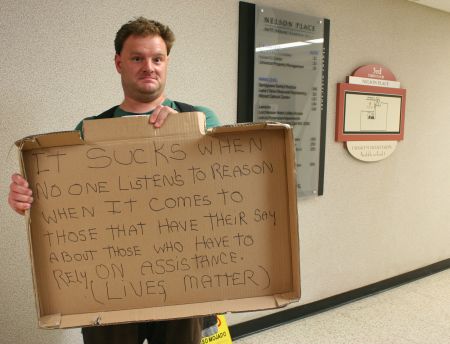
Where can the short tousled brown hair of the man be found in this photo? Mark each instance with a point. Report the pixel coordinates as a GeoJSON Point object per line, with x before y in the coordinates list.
{"type": "Point", "coordinates": [143, 27]}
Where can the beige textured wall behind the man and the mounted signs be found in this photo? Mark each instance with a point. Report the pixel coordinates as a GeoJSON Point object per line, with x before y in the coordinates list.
{"type": "Point", "coordinates": [375, 220]}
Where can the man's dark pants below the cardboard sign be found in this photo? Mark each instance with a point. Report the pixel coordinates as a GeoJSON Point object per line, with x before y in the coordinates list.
{"type": "Point", "coordinates": [186, 331]}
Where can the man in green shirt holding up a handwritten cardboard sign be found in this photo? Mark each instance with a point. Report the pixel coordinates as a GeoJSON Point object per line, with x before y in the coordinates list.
{"type": "Point", "coordinates": [142, 57]}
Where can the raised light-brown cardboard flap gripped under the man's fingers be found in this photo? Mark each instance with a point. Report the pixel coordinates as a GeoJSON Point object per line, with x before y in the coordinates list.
{"type": "Point", "coordinates": [135, 127]}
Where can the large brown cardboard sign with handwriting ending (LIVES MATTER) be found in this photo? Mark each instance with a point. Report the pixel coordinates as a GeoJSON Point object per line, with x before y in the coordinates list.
{"type": "Point", "coordinates": [133, 223]}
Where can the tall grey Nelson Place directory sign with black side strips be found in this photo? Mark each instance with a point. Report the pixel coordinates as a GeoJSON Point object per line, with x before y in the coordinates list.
{"type": "Point", "coordinates": [282, 77]}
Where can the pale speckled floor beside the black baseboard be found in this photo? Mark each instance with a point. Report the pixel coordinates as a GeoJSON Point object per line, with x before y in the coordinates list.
{"type": "Point", "coordinates": [415, 313]}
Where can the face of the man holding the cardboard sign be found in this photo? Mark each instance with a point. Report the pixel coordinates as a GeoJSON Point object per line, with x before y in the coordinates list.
{"type": "Point", "coordinates": [142, 65]}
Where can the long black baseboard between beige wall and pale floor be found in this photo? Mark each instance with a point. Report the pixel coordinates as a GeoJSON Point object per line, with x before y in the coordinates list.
{"type": "Point", "coordinates": [260, 324]}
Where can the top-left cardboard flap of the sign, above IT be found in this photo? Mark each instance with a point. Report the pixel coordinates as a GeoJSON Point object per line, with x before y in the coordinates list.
{"type": "Point", "coordinates": [58, 139]}
